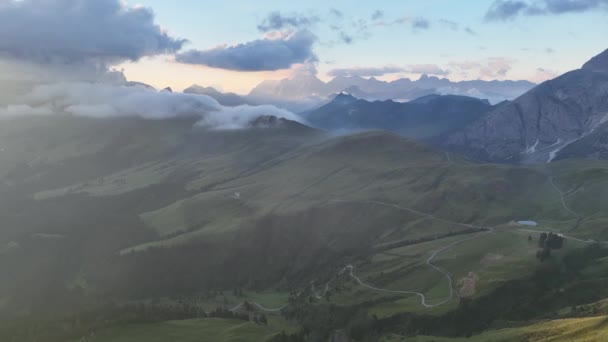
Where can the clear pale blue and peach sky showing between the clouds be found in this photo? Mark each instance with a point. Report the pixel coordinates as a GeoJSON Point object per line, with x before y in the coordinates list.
{"type": "Point", "coordinates": [534, 47]}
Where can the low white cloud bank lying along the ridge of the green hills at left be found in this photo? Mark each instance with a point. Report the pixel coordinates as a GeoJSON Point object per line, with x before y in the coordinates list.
{"type": "Point", "coordinates": [106, 101]}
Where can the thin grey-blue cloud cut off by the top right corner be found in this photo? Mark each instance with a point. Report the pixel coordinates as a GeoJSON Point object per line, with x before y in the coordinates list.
{"type": "Point", "coordinates": [502, 10]}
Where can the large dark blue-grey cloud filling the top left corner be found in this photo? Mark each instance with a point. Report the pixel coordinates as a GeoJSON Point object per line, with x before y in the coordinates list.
{"type": "Point", "coordinates": [80, 31]}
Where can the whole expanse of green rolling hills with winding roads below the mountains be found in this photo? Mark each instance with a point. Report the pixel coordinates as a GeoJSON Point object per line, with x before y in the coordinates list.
{"type": "Point", "coordinates": [109, 220]}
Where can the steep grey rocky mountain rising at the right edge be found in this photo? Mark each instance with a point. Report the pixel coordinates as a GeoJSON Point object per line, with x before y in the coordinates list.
{"type": "Point", "coordinates": [536, 127]}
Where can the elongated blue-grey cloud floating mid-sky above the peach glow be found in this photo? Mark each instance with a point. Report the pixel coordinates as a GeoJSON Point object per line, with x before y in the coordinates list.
{"type": "Point", "coordinates": [276, 51]}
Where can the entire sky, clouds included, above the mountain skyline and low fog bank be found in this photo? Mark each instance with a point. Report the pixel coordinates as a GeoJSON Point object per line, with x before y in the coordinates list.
{"type": "Point", "coordinates": [234, 45]}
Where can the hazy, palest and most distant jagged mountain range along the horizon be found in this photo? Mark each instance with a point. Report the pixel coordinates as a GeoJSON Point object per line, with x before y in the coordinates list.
{"type": "Point", "coordinates": [305, 91]}
